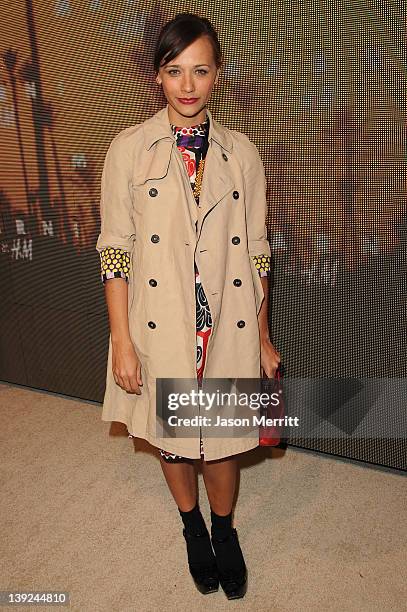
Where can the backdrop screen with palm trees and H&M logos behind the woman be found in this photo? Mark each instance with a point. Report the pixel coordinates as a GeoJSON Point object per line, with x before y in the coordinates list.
{"type": "Point", "coordinates": [320, 87]}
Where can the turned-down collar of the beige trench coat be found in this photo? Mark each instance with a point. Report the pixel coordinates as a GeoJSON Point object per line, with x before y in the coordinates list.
{"type": "Point", "coordinates": [158, 126]}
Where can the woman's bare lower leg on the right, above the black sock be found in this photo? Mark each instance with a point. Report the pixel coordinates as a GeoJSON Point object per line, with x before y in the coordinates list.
{"type": "Point", "coordinates": [220, 479]}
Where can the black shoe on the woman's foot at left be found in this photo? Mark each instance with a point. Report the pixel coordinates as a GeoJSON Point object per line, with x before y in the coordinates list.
{"type": "Point", "coordinates": [205, 573]}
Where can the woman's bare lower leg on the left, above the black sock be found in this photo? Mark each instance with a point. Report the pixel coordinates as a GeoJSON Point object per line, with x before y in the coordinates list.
{"type": "Point", "coordinates": [181, 480]}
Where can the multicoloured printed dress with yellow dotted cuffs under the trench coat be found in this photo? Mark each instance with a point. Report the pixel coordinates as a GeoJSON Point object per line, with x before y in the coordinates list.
{"type": "Point", "coordinates": [192, 142]}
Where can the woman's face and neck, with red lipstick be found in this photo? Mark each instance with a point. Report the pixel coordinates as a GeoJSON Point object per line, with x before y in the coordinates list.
{"type": "Point", "coordinates": [189, 77]}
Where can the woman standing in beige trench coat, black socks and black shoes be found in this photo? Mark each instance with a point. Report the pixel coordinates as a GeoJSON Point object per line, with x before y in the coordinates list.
{"type": "Point", "coordinates": [184, 257]}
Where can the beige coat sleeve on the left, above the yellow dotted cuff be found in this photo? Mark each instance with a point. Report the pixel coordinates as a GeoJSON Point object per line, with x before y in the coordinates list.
{"type": "Point", "coordinates": [117, 225]}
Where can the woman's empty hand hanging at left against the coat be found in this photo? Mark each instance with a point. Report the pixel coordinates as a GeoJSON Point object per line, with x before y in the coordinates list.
{"type": "Point", "coordinates": [126, 367]}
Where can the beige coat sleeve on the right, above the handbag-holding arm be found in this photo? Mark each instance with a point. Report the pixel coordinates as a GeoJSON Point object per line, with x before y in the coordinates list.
{"type": "Point", "coordinates": [256, 202]}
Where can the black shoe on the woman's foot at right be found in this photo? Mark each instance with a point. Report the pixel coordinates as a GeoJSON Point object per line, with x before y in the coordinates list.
{"type": "Point", "coordinates": [232, 575]}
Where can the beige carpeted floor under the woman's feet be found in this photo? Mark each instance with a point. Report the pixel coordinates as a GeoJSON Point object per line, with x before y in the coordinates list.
{"type": "Point", "coordinates": [90, 513]}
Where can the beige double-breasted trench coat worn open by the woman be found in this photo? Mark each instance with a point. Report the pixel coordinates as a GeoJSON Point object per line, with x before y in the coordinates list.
{"type": "Point", "coordinates": [148, 208]}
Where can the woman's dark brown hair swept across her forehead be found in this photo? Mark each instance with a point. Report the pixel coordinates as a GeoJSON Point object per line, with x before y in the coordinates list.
{"type": "Point", "coordinates": [177, 34]}
